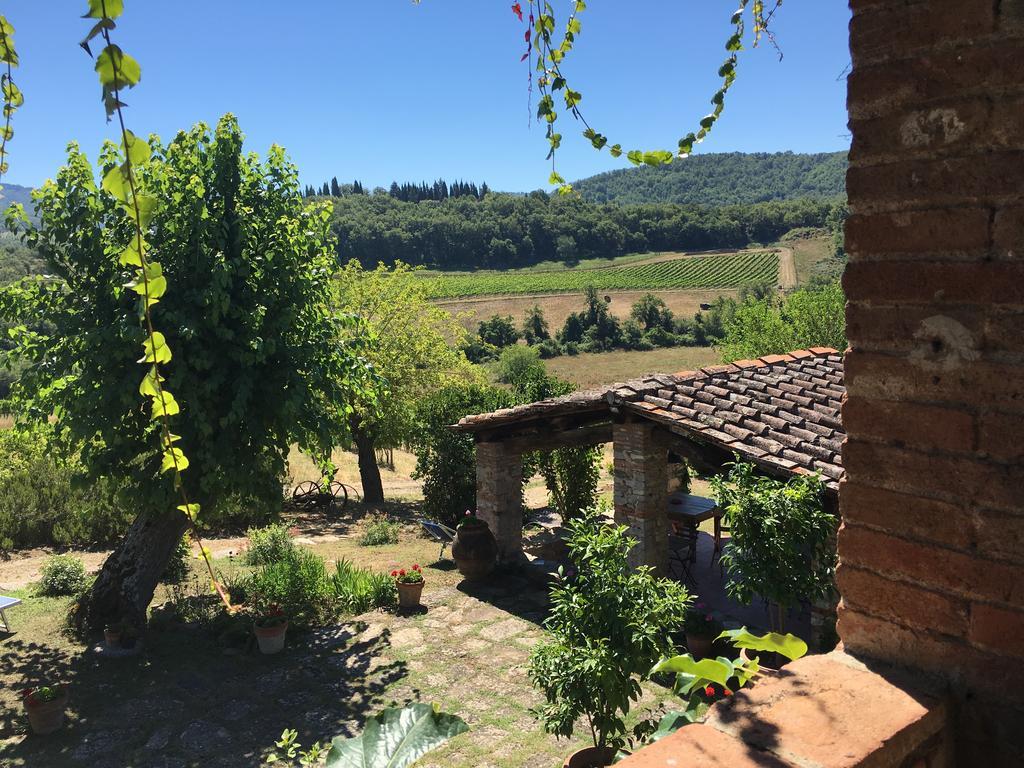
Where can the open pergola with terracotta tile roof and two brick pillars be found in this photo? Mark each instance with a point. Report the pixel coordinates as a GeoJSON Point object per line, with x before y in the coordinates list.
{"type": "Point", "coordinates": [781, 413]}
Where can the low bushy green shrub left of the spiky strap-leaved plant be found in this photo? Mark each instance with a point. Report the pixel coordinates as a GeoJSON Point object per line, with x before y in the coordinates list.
{"type": "Point", "coordinates": [298, 583]}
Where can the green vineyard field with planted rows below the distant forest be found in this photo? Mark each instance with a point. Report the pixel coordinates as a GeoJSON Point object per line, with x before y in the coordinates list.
{"type": "Point", "coordinates": [724, 271]}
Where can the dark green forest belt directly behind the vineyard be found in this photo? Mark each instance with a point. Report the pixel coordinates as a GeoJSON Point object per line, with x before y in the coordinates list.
{"type": "Point", "coordinates": [504, 232]}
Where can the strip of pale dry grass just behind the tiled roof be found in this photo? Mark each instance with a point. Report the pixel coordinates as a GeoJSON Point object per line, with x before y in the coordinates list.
{"type": "Point", "coordinates": [592, 370]}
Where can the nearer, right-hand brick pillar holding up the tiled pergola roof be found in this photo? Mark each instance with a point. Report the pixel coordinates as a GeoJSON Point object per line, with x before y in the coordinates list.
{"type": "Point", "coordinates": [642, 492]}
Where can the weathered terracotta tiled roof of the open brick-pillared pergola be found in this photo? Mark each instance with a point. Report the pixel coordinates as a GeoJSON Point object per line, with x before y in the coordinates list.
{"type": "Point", "coordinates": [782, 411]}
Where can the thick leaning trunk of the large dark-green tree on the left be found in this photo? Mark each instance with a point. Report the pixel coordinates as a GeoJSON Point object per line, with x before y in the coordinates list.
{"type": "Point", "coordinates": [130, 576]}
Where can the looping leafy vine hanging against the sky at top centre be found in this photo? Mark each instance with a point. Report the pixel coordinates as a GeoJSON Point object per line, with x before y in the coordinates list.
{"type": "Point", "coordinates": [550, 55]}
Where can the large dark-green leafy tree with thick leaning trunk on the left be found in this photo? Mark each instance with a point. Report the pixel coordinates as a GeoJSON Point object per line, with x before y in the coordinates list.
{"type": "Point", "coordinates": [260, 364]}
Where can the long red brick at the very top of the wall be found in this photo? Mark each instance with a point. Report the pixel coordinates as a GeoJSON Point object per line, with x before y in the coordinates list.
{"type": "Point", "coordinates": [895, 31]}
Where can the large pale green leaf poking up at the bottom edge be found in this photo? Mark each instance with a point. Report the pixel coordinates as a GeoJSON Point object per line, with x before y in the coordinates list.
{"type": "Point", "coordinates": [396, 739]}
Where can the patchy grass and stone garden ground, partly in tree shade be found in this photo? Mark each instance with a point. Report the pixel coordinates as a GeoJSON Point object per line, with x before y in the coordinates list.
{"type": "Point", "coordinates": [185, 703]}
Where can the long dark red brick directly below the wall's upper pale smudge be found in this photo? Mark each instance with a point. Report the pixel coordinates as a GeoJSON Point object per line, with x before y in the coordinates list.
{"type": "Point", "coordinates": [980, 179]}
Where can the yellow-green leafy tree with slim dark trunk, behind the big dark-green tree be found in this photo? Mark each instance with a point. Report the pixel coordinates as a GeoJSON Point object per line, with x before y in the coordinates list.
{"type": "Point", "coordinates": [411, 353]}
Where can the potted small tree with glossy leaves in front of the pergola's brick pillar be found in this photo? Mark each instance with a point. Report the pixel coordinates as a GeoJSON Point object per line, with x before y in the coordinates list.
{"type": "Point", "coordinates": [609, 625]}
